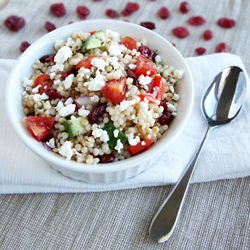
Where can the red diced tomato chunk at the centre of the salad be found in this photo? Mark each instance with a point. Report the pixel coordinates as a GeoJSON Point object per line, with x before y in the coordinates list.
{"type": "Point", "coordinates": [115, 90]}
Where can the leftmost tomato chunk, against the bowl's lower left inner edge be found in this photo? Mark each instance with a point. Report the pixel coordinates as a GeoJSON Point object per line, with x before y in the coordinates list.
{"type": "Point", "coordinates": [40, 127]}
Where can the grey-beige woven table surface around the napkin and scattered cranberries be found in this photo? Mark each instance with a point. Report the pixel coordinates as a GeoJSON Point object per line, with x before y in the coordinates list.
{"type": "Point", "coordinates": [216, 215]}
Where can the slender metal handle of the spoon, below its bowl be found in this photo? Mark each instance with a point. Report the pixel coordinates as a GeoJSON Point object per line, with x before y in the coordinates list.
{"type": "Point", "coordinates": [164, 221]}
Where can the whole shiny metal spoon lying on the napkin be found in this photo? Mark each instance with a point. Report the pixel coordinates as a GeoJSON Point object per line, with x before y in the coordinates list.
{"type": "Point", "coordinates": [221, 103]}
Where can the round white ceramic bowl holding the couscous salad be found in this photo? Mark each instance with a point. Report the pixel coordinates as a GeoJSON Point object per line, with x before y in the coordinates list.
{"type": "Point", "coordinates": [108, 172]}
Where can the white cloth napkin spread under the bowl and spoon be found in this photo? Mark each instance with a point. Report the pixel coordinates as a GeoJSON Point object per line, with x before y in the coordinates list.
{"type": "Point", "coordinates": [225, 155]}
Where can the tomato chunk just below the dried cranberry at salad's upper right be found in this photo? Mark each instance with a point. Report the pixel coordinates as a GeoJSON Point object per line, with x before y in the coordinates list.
{"type": "Point", "coordinates": [144, 66]}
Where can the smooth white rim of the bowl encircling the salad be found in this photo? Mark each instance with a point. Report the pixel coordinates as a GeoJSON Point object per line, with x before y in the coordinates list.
{"type": "Point", "coordinates": [100, 167]}
